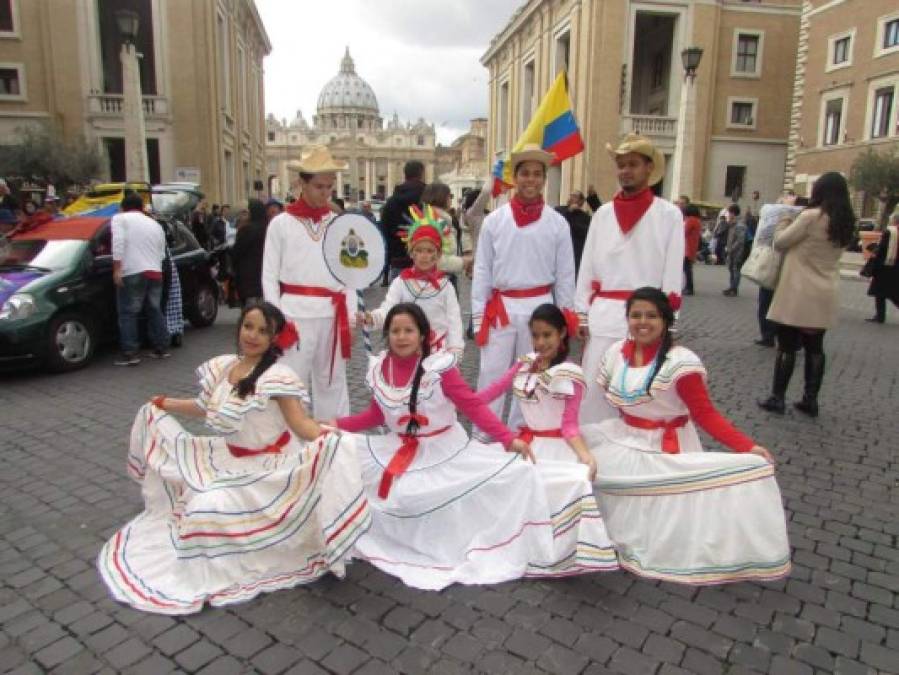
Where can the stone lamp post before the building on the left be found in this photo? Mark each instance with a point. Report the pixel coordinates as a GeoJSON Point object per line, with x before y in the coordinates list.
{"type": "Point", "coordinates": [136, 169]}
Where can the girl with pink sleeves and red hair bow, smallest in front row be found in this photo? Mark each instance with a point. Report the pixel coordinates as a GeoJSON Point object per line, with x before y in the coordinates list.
{"type": "Point", "coordinates": [549, 390]}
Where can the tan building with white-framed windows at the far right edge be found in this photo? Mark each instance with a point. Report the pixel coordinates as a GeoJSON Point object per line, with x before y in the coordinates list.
{"type": "Point", "coordinates": [846, 91]}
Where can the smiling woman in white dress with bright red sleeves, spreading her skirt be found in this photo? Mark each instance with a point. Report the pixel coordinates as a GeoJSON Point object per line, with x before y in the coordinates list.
{"type": "Point", "coordinates": [677, 513]}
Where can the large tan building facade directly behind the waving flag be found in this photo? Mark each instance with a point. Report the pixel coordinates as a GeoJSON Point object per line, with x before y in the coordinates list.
{"type": "Point", "coordinates": [623, 59]}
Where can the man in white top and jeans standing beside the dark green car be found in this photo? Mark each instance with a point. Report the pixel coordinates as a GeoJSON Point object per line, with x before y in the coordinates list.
{"type": "Point", "coordinates": [138, 250]}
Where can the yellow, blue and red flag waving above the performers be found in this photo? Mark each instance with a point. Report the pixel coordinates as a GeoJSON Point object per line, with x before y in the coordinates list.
{"type": "Point", "coordinates": [553, 127]}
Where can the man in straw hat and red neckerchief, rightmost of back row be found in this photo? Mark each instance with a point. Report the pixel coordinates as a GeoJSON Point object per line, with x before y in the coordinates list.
{"type": "Point", "coordinates": [635, 240]}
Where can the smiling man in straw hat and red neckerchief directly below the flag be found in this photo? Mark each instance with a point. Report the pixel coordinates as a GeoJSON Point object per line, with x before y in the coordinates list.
{"type": "Point", "coordinates": [524, 259]}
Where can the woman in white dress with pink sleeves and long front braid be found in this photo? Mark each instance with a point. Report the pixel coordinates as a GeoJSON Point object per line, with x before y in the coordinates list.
{"type": "Point", "coordinates": [446, 509]}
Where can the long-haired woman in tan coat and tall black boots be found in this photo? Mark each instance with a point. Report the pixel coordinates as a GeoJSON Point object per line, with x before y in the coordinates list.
{"type": "Point", "coordinates": [805, 300]}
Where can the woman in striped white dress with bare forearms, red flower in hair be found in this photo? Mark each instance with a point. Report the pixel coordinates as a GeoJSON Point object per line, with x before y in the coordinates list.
{"type": "Point", "coordinates": [270, 503]}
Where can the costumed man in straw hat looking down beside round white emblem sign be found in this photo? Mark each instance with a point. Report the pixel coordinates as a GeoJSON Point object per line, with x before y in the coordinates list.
{"type": "Point", "coordinates": [296, 279]}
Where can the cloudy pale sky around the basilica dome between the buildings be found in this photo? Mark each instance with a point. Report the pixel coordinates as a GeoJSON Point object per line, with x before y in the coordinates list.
{"type": "Point", "coordinates": [421, 57]}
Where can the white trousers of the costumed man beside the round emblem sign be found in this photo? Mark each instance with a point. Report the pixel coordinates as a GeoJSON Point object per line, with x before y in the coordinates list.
{"type": "Point", "coordinates": [310, 358]}
